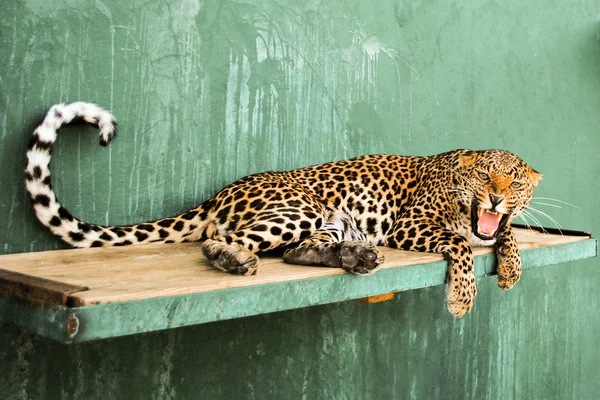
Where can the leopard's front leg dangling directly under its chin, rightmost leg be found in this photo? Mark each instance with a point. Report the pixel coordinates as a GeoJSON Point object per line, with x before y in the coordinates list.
{"type": "Point", "coordinates": [509, 259]}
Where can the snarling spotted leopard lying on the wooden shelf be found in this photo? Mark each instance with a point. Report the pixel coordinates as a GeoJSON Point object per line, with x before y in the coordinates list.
{"type": "Point", "coordinates": [333, 215]}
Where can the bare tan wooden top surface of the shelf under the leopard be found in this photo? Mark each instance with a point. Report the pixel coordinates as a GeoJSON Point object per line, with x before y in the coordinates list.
{"type": "Point", "coordinates": [150, 271]}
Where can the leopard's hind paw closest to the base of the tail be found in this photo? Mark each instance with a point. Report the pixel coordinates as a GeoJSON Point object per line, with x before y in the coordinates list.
{"type": "Point", "coordinates": [231, 258]}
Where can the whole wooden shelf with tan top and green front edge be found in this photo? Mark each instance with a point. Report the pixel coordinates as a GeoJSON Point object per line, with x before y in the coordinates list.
{"type": "Point", "coordinates": [88, 294]}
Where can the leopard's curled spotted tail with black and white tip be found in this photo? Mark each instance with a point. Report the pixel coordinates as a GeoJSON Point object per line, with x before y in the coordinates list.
{"type": "Point", "coordinates": [187, 226]}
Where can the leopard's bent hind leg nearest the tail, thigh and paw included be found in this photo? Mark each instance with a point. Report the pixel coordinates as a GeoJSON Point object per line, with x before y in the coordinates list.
{"type": "Point", "coordinates": [258, 213]}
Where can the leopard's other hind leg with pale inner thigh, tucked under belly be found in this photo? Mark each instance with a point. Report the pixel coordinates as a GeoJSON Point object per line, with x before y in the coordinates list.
{"type": "Point", "coordinates": [338, 244]}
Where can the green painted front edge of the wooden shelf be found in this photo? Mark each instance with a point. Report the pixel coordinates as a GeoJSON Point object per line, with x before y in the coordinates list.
{"type": "Point", "coordinates": [81, 324]}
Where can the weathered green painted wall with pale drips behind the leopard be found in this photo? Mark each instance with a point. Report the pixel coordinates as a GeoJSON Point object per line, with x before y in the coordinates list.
{"type": "Point", "coordinates": [208, 91]}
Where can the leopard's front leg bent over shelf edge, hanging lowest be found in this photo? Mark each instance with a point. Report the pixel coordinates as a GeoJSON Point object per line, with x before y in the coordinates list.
{"type": "Point", "coordinates": [420, 235]}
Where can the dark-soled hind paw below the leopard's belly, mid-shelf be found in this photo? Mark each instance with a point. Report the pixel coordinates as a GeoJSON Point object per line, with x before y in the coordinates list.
{"type": "Point", "coordinates": [359, 258]}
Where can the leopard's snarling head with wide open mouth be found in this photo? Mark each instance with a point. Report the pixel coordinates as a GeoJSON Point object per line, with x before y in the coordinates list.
{"type": "Point", "coordinates": [496, 185]}
